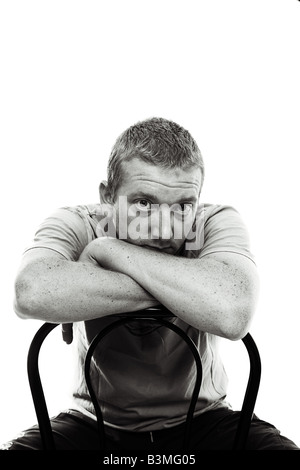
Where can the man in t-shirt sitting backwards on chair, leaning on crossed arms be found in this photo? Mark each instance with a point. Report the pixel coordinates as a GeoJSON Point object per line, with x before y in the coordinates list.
{"type": "Point", "coordinates": [149, 242]}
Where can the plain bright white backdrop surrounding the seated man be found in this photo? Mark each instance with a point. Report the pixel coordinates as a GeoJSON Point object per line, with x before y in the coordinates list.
{"type": "Point", "coordinates": [75, 74]}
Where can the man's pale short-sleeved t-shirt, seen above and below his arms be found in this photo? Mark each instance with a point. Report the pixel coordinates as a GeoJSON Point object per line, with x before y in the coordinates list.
{"type": "Point", "coordinates": [144, 377]}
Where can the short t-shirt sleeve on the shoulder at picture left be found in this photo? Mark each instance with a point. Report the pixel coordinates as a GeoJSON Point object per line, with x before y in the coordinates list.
{"type": "Point", "coordinates": [64, 232]}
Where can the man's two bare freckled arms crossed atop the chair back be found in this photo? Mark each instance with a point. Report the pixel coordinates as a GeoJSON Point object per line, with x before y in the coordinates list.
{"type": "Point", "coordinates": [216, 293]}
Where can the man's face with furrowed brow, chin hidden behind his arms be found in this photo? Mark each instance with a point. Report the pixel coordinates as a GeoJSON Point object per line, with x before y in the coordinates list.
{"type": "Point", "coordinates": [156, 207]}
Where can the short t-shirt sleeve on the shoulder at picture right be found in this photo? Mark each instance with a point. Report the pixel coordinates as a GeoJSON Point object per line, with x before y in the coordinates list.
{"type": "Point", "coordinates": [219, 229]}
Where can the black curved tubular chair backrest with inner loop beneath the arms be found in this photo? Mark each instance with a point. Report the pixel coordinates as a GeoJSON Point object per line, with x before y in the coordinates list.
{"type": "Point", "coordinates": [157, 315]}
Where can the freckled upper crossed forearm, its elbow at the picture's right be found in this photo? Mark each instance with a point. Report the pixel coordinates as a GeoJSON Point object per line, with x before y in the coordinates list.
{"type": "Point", "coordinates": [212, 295]}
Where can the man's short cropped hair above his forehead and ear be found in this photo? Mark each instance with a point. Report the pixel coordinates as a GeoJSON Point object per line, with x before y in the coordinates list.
{"type": "Point", "coordinates": [156, 141]}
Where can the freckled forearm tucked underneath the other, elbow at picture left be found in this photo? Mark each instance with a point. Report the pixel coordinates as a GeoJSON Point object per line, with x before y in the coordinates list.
{"type": "Point", "coordinates": [62, 291]}
